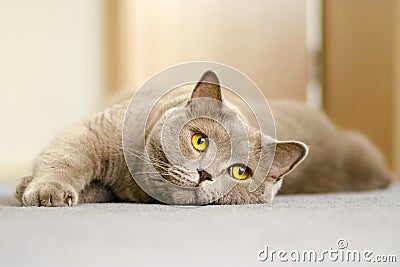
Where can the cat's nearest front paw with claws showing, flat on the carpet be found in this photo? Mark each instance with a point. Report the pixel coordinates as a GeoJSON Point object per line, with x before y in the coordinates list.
{"type": "Point", "coordinates": [49, 194]}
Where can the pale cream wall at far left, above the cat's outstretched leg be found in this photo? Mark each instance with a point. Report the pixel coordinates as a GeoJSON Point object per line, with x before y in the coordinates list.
{"type": "Point", "coordinates": [52, 71]}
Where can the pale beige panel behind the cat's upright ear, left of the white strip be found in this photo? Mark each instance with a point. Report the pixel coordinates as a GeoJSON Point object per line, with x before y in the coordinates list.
{"type": "Point", "coordinates": [263, 39]}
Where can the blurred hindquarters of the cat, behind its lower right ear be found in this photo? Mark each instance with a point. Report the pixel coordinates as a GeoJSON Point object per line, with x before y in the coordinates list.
{"type": "Point", "coordinates": [339, 160]}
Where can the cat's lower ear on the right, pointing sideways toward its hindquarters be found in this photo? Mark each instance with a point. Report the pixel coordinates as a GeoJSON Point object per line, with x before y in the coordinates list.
{"type": "Point", "coordinates": [287, 156]}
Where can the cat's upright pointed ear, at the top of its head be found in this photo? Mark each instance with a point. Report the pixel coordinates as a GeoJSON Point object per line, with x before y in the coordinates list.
{"type": "Point", "coordinates": [208, 86]}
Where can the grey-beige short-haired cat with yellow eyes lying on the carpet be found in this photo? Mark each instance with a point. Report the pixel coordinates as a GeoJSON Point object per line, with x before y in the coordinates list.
{"type": "Point", "coordinates": [87, 164]}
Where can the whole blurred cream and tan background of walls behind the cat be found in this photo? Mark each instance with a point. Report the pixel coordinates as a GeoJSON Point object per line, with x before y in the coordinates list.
{"type": "Point", "coordinates": [63, 60]}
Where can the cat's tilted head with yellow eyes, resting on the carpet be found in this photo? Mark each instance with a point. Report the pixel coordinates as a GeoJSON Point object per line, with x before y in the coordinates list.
{"type": "Point", "coordinates": [208, 150]}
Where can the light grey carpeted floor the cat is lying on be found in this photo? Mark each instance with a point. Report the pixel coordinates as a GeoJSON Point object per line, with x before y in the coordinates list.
{"type": "Point", "coordinates": [160, 235]}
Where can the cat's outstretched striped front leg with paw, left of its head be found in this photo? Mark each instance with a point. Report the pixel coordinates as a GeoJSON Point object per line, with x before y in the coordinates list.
{"type": "Point", "coordinates": [90, 151]}
